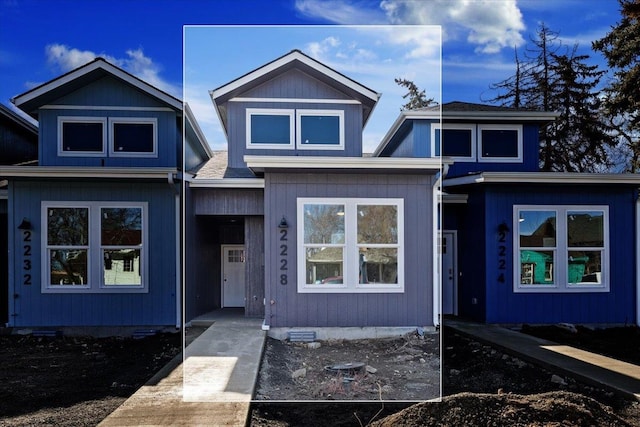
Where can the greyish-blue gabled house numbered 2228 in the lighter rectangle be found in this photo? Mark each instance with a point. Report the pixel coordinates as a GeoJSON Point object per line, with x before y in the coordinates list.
{"type": "Point", "coordinates": [294, 224]}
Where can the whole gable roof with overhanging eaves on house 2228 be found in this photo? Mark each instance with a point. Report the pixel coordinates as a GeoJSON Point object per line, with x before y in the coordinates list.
{"type": "Point", "coordinates": [293, 60]}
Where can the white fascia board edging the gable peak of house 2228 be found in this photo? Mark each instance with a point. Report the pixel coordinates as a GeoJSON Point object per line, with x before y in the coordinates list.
{"type": "Point", "coordinates": [294, 55]}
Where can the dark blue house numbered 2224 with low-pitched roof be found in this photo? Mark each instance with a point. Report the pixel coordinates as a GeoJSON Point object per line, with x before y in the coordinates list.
{"type": "Point", "coordinates": [520, 245]}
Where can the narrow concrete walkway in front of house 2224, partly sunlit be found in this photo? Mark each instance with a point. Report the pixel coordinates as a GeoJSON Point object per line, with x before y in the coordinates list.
{"type": "Point", "coordinates": [591, 368]}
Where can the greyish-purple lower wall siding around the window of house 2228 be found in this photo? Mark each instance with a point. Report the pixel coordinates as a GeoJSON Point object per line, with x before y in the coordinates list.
{"type": "Point", "coordinates": [287, 308]}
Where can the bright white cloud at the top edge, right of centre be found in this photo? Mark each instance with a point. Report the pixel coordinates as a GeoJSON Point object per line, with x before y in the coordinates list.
{"type": "Point", "coordinates": [490, 25]}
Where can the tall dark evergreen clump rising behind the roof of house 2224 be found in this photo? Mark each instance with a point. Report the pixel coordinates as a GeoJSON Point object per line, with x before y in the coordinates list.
{"type": "Point", "coordinates": [550, 78]}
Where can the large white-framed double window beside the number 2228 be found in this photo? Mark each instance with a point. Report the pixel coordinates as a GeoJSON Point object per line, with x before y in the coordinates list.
{"type": "Point", "coordinates": [350, 245]}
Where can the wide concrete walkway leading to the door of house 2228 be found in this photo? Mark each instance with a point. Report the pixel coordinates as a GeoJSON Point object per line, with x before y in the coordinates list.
{"type": "Point", "coordinates": [212, 386]}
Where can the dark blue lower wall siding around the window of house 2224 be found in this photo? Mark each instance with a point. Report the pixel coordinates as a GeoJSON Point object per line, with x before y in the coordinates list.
{"type": "Point", "coordinates": [616, 306]}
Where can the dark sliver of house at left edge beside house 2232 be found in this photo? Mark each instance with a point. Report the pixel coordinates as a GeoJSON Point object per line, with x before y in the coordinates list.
{"type": "Point", "coordinates": [18, 145]}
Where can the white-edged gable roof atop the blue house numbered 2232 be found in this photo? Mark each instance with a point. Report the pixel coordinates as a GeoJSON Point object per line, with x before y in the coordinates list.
{"type": "Point", "coordinates": [47, 92]}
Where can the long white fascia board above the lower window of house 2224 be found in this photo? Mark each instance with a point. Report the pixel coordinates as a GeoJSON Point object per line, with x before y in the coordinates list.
{"type": "Point", "coordinates": [544, 178]}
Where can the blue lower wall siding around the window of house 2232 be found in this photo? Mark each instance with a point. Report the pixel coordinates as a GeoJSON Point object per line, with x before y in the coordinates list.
{"type": "Point", "coordinates": [31, 307]}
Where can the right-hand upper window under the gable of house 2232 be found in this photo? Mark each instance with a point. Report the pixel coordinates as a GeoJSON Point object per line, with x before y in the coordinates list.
{"type": "Point", "coordinates": [133, 137]}
